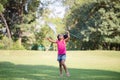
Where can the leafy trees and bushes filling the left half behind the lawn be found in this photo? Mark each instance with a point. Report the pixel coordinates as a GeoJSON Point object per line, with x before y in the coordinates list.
{"type": "Point", "coordinates": [18, 23]}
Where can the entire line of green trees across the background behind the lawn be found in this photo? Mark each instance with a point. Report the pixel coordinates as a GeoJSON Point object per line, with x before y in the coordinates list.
{"type": "Point", "coordinates": [93, 24]}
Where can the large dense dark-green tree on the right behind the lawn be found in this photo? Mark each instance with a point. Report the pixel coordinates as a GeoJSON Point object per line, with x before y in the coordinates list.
{"type": "Point", "coordinates": [95, 23]}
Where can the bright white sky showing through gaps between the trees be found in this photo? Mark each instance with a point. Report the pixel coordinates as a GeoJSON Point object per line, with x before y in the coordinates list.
{"type": "Point", "coordinates": [57, 10]}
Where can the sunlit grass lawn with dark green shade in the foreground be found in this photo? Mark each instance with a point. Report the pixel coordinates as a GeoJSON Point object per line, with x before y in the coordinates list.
{"type": "Point", "coordinates": [38, 65]}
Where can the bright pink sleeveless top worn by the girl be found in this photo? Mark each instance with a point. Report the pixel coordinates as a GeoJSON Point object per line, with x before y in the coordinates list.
{"type": "Point", "coordinates": [61, 46]}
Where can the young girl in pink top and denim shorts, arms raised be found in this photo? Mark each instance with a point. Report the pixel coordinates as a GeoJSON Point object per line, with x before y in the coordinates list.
{"type": "Point", "coordinates": [61, 45]}
